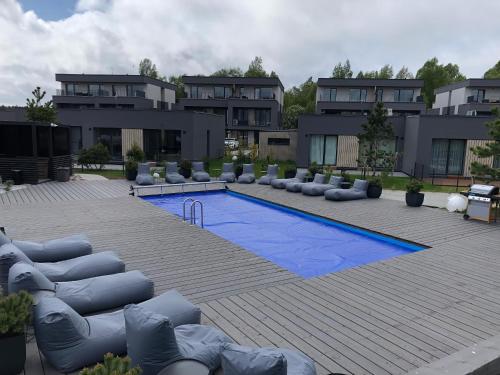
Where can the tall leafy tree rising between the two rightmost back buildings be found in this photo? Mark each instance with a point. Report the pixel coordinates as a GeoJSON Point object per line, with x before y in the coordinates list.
{"type": "Point", "coordinates": [436, 75]}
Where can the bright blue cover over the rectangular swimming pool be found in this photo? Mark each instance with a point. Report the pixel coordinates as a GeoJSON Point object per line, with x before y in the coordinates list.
{"type": "Point", "coordinates": [301, 243]}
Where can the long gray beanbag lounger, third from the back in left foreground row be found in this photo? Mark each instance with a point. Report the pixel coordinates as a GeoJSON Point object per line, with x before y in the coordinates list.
{"type": "Point", "coordinates": [87, 295]}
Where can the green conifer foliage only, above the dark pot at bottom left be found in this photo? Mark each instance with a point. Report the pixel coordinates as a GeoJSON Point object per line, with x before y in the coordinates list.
{"type": "Point", "coordinates": [15, 313]}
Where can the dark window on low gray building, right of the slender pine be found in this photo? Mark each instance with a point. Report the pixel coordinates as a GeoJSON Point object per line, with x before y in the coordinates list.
{"type": "Point", "coordinates": [448, 156]}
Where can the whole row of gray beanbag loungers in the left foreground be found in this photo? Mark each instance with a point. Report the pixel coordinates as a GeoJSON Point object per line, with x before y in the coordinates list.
{"type": "Point", "coordinates": [67, 280]}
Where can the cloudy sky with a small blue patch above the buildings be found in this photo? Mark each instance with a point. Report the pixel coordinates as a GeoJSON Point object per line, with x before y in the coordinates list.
{"type": "Point", "coordinates": [296, 38]}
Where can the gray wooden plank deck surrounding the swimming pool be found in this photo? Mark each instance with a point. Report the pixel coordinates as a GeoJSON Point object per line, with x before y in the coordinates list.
{"type": "Point", "coordinates": [388, 317]}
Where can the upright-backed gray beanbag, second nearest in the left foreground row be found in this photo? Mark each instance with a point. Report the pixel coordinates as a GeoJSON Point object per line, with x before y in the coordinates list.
{"type": "Point", "coordinates": [153, 342]}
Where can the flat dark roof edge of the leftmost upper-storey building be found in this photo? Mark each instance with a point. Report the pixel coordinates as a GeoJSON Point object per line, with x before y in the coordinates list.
{"type": "Point", "coordinates": [113, 78]}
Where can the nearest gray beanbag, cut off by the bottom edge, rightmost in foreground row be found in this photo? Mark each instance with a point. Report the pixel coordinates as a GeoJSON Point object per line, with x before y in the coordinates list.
{"type": "Point", "coordinates": [241, 360]}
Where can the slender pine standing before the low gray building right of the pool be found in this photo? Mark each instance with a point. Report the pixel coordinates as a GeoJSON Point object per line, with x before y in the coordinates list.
{"type": "Point", "coordinates": [375, 135]}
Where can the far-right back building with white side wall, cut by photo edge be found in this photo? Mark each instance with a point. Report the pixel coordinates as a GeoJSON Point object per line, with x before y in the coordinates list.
{"type": "Point", "coordinates": [472, 97]}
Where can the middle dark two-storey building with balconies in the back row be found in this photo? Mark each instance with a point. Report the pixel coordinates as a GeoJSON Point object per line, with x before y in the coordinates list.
{"type": "Point", "coordinates": [248, 105]}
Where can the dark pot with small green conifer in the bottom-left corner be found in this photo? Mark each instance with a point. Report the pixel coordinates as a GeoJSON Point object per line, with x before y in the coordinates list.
{"type": "Point", "coordinates": [15, 314]}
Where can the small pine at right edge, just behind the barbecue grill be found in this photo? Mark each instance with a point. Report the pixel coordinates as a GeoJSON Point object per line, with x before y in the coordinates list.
{"type": "Point", "coordinates": [492, 149]}
